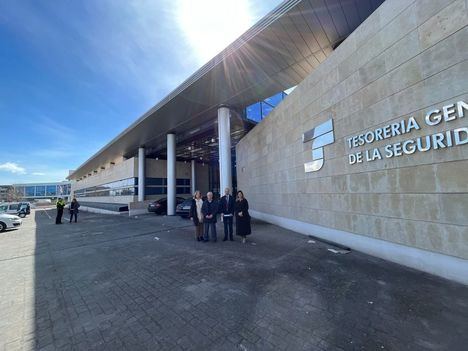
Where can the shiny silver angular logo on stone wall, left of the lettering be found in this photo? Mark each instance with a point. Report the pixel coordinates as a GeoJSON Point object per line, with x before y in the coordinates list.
{"type": "Point", "coordinates": [320, 136]}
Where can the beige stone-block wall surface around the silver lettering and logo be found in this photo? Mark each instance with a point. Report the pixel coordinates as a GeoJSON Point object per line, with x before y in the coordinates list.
{"type": "Point", "coordinates": [404, 60]}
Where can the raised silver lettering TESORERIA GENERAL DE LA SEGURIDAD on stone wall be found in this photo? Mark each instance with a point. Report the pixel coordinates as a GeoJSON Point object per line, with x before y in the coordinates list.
{"type": "Point", "coordinates": [435, 141]}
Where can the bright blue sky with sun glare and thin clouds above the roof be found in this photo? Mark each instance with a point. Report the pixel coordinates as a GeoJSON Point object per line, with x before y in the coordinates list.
{"type": "Point", "coordinates": [76, 73]}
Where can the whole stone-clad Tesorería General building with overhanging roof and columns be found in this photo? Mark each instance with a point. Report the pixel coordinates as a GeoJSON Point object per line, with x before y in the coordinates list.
{"type": "Point", "coordinates": [368, 151]}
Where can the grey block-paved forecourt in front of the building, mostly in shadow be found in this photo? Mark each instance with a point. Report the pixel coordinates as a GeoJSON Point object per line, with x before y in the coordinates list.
{"type": "Point", "coordinates": [119, 283]}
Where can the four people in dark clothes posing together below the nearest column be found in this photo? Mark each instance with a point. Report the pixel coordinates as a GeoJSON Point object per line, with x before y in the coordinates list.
{"type": "Point", "coordinates": [204, 214]}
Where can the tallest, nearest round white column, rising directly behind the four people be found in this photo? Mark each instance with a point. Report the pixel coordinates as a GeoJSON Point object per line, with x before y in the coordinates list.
{"type": "Point", "coordinates": [224, 142]}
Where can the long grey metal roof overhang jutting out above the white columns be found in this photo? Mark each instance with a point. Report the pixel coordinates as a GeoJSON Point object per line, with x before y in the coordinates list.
{"type": "Point", "coordinates": [275, 54]}
